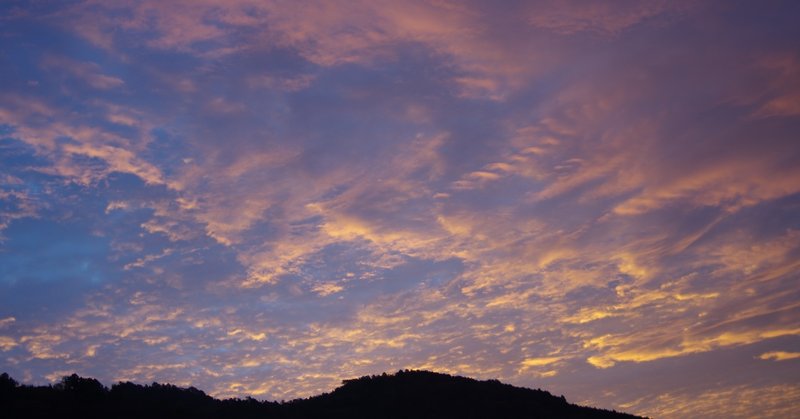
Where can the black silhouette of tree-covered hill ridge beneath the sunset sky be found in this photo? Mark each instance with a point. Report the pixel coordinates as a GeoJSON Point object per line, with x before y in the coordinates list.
{"type": "Point", "coordinates": [406, 394]}
